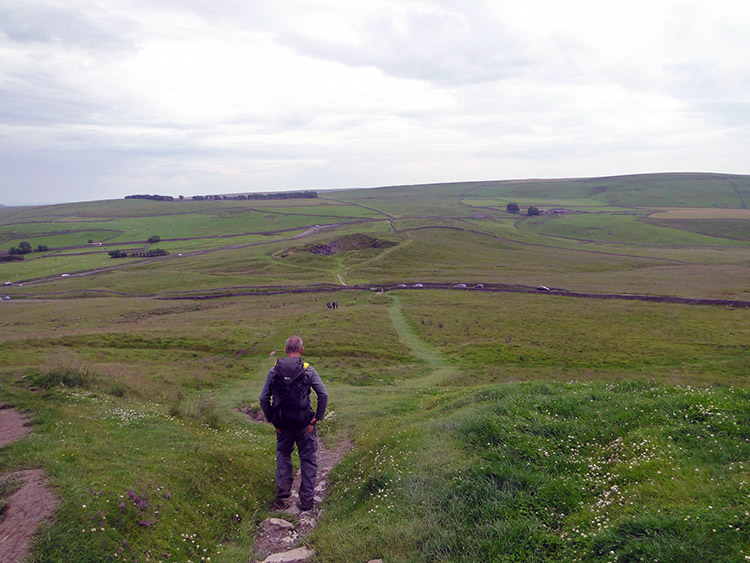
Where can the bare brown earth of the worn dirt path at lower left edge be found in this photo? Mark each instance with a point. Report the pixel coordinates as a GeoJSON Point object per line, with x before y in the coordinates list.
{"type": "Point", "coordinates": [29, 505]}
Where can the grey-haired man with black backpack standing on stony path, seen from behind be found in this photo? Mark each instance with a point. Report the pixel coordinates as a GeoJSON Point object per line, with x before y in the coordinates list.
{"type": "Point", "coordinates": [285, 400]}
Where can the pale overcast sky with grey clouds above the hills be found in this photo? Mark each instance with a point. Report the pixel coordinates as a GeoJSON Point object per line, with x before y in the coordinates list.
{"type": "Point", "coordinates": [104, 98]}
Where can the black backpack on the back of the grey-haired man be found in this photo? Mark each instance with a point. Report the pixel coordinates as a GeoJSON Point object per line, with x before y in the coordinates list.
{"type": "Point", "coordinates": [291, 398]}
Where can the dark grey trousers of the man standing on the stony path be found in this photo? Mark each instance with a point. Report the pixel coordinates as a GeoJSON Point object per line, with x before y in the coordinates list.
{"type": "Point", "coordinates": [307, 447]}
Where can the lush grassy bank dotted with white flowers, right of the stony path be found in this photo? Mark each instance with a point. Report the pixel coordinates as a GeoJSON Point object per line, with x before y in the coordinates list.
{"type": "Point", "coordinates": [550, 472]}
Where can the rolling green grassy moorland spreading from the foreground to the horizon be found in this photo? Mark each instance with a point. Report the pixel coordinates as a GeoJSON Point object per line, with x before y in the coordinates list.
{"type": "Point", "coordinates": [568, 385]}
